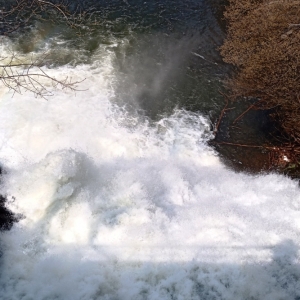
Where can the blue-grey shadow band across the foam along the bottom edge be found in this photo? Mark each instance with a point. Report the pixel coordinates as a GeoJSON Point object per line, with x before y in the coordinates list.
{"type": "Point", "coordinates": [277, 279]}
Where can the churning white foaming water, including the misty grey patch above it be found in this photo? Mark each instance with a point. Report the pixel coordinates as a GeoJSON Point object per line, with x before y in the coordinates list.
{"type": "Point", "coordinates": [119, 195]}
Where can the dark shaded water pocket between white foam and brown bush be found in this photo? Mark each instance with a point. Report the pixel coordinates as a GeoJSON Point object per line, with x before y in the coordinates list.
{"type": "Point", "coordinates": [240, 142]}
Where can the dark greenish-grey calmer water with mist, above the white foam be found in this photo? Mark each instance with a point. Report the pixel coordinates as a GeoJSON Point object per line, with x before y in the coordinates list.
{"type": "Point", "coordinates": [168, 56]}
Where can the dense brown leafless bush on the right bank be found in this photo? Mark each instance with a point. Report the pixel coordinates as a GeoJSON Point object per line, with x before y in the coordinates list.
{"type": "Point", "coordinates": [263, 42]}
